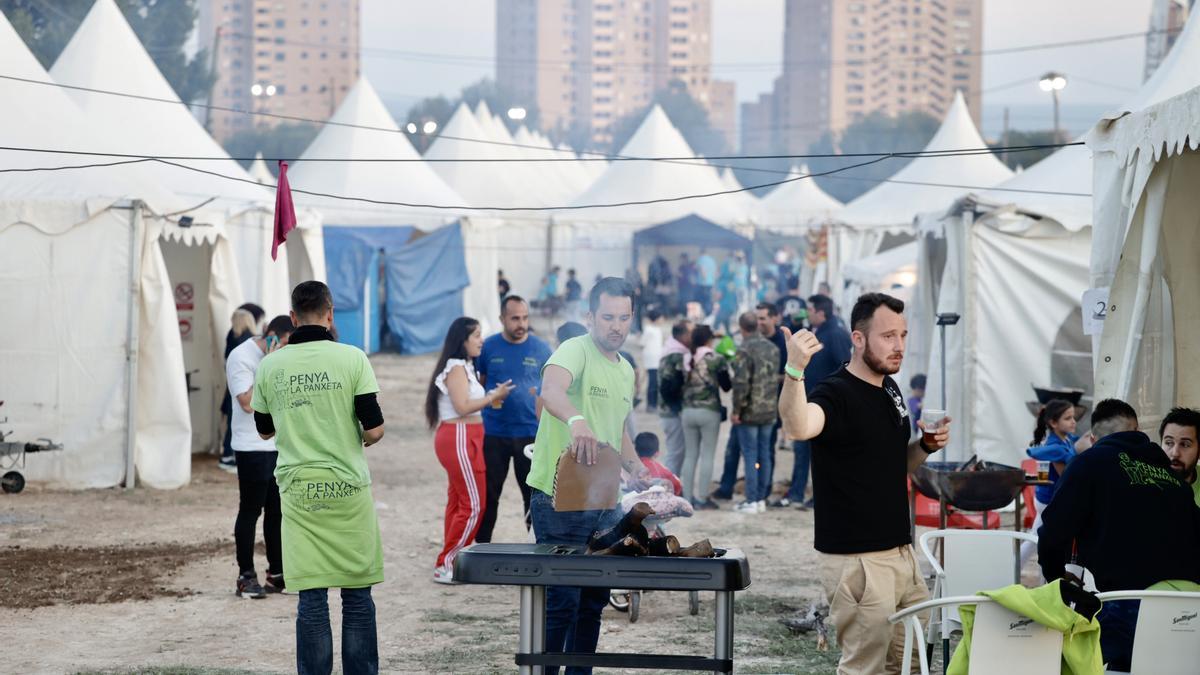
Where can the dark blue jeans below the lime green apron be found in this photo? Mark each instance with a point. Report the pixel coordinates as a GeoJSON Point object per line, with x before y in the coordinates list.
{"type": "Point", "coordinates": [315, 641]}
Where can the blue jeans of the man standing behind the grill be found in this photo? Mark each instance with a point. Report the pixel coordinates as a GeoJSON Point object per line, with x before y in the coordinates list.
{"type": "Point", "coordinates": [573, 614]}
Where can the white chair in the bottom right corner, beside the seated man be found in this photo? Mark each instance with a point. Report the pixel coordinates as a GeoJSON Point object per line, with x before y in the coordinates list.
{"type": "Point", "coordinates": [1167, 638]}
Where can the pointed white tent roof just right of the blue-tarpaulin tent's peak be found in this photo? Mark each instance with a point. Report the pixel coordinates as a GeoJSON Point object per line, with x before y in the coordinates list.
{"type": "Point", "coordinates": [483, 184]}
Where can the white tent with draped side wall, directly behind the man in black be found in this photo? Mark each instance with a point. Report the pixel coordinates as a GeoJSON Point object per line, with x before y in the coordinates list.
{"type": "Point", "coordinates": [1013, 266]}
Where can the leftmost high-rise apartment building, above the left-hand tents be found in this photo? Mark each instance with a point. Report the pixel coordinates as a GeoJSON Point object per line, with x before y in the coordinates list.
{"type": "Point", "coordinates": [289, 57]}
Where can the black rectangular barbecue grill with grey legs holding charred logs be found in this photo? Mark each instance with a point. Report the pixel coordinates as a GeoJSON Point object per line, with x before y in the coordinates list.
{"type": "Point", "coordinates": [533, 568]}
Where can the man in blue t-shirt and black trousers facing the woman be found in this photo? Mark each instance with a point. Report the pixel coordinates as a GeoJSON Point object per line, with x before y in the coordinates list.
{"type": "Point", "coordinates": [518, 356]}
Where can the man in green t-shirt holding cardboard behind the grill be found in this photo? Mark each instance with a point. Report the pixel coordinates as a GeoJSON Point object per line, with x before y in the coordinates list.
{"type": "Point", "coordinates": [587, 402]}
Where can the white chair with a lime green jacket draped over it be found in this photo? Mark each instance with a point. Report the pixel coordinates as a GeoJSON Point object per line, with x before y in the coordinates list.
{"type": "Point", "coordinates": [1001, 643]}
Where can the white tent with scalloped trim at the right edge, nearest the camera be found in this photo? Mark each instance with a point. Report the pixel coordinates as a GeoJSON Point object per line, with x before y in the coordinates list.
{"type": "Point", "coordinates": [1148, 242]}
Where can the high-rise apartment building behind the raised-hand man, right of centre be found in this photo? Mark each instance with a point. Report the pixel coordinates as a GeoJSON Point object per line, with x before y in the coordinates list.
{"type": "Point", "coordinates": [845, 59]}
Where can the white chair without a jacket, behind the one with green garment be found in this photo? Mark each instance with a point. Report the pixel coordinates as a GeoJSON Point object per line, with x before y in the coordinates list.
{"type": "Point", "coordinates": [975, 560]}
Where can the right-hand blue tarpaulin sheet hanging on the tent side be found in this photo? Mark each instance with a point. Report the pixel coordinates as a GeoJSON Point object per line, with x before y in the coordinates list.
{"type": "Point", "coordinates": [425, 283]}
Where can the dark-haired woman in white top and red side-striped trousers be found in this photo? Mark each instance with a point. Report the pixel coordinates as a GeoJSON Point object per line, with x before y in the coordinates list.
{"type": "Point", "coordinates": [453, 408]}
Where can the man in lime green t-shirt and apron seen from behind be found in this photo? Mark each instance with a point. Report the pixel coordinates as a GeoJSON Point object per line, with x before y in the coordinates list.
{"type": "Point", "coordinates": [317, 399]}
